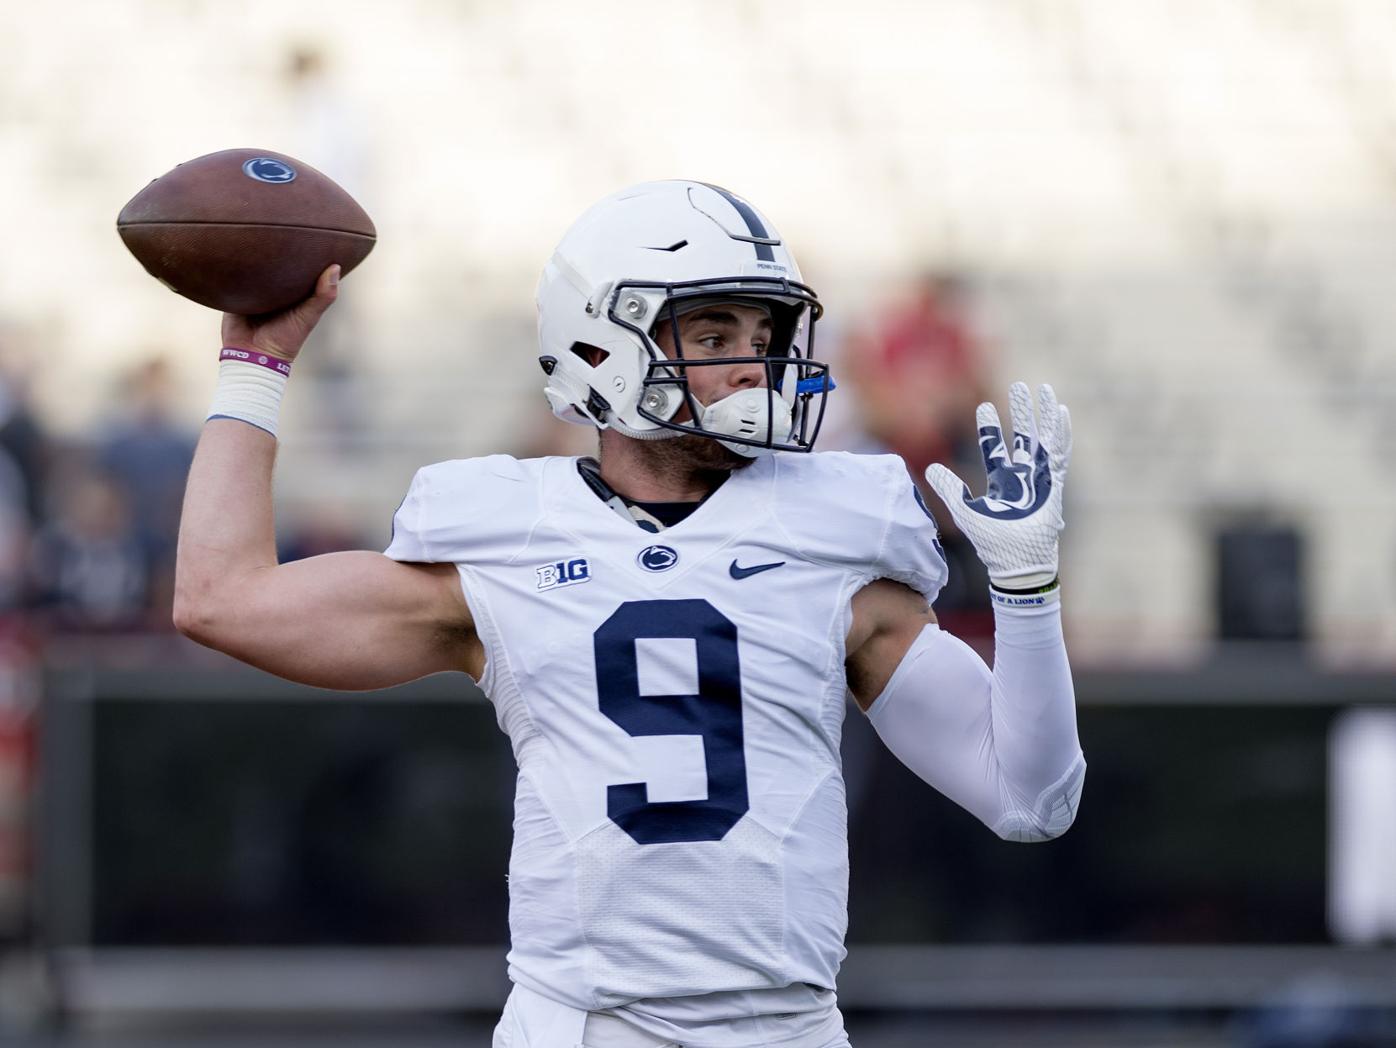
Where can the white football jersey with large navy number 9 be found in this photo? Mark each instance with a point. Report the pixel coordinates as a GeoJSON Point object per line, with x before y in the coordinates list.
{"type": "Point", "coordinates": [675, 703]}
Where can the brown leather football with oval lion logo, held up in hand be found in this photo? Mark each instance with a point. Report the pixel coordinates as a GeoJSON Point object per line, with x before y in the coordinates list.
{"type": "Point", "coordinates": [245, 231]}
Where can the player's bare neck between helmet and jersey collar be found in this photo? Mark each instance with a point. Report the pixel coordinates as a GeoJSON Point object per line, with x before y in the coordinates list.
{"type": "Point", "coordinates": [664, 471]}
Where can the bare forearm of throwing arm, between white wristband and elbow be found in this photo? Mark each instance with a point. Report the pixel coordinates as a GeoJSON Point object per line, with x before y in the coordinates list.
{"type": "Point", "coordinates": [227, 528]}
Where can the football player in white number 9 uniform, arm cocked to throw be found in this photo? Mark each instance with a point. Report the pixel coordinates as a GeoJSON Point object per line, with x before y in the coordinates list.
{"type": "Point", "coordinates": [669, 633]}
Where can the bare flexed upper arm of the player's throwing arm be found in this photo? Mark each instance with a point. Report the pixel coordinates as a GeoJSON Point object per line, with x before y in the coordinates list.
{"type": "Point", "coordinates": [347, 620]}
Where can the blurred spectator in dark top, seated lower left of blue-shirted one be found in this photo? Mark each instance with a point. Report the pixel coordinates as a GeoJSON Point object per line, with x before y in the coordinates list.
{"type": "Point", "coordinates": [90, 566]}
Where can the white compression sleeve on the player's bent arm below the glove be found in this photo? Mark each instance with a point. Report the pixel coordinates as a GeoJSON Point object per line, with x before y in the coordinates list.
{"type": "Point", "coordinates": [1002, 744]}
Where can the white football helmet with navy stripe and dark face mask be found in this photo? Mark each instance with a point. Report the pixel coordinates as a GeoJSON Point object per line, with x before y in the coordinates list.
{"type": "Point", "coordinates": [636, 260]}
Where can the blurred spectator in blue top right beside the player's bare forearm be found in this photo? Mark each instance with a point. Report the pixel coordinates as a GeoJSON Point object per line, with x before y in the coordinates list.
{"type": "Point", "coordinates": [147, 456]}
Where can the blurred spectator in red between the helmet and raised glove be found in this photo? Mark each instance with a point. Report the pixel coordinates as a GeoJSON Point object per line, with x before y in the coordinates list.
{"type": "Point", "coordinates": [919, 372]}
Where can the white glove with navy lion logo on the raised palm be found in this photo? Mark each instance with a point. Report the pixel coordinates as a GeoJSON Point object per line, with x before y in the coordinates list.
{"type": "Point", "coordinates": [1014, 525]}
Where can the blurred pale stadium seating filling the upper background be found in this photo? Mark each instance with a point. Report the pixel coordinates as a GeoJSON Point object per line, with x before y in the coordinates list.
{"type": "Point", "coordinates": [1178, 213]}
